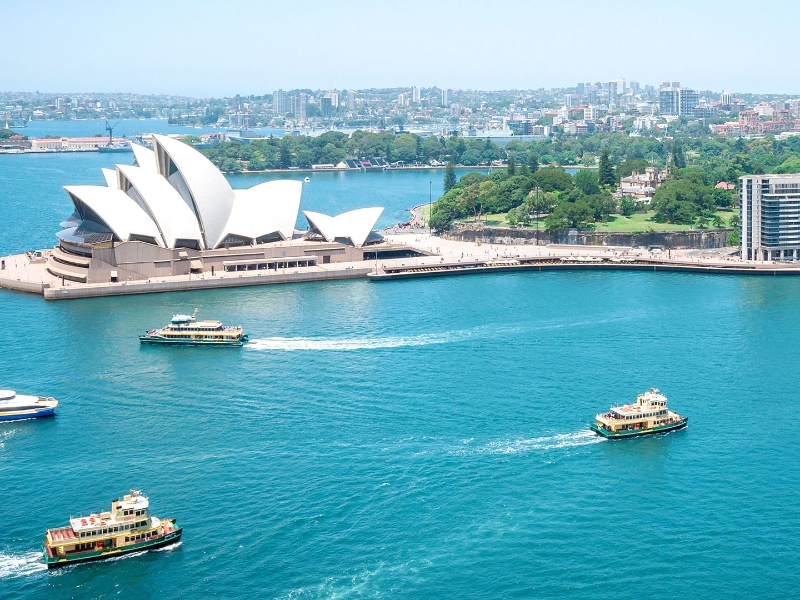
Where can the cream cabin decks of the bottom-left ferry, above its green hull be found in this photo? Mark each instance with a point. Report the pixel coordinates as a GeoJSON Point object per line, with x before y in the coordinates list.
{"type": "Point", "coordinates": [128, 522]}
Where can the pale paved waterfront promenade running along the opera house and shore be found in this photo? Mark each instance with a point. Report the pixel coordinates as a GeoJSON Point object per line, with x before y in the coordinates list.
{"type": "Point", "coordinates": [24, 272]}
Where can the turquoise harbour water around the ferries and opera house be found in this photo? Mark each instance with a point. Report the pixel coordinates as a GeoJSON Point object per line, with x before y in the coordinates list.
{"type": "Point", "coordinates": [420, 439]}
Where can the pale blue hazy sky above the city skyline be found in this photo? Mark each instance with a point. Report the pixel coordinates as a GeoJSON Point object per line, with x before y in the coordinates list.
{"type": "Point", "coordinates": [212, 48]}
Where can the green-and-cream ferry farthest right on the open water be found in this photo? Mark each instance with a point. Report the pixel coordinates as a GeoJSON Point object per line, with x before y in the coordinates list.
{"type": "Point", "coordinates": [648, 415]}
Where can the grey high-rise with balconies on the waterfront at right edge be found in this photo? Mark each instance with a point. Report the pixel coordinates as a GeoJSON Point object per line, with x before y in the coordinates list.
{"type": "Point", "coordinates": [770, 217]}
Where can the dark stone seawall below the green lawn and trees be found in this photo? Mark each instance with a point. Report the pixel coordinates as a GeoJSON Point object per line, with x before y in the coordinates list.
{"type": "Point", "coordinates": [703, 239]}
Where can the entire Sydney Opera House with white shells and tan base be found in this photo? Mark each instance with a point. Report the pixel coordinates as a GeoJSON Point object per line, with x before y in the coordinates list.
{"type": "Point", "coordinates": [174, 213]}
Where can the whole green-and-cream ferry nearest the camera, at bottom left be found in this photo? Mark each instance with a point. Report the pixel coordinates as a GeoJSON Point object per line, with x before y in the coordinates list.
{"type": "Point", "coordinates": [127, 527]}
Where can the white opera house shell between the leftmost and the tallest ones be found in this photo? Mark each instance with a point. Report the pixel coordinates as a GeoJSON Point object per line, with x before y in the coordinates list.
{"type": "Point", "coordinates": [174, 218]}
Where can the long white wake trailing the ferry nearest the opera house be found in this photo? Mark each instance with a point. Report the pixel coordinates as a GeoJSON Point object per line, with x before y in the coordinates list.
{"type": "Point", "coordinates": [363, 343]}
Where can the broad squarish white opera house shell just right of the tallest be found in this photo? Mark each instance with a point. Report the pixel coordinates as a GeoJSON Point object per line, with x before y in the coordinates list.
{"type": "Point", "coordinates": [264, 209]}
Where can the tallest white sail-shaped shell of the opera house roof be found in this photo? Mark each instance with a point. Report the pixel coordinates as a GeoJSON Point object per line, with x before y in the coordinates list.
{"type": "Point", "coordinates": [199, 183]}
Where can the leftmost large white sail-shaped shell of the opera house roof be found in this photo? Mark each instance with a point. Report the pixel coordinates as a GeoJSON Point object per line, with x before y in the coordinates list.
{"type": "Point", "coordinates": [115, 209]}
